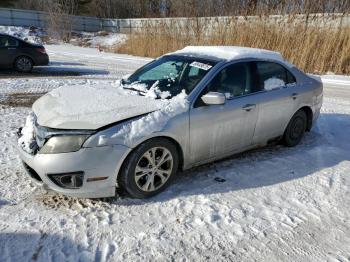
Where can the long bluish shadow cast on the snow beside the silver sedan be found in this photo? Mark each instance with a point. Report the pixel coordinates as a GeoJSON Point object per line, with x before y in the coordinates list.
{"type": "Point", "coordinates": [325, 146]}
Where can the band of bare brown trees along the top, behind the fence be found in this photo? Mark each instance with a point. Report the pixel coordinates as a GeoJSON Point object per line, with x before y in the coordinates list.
{"type": "Point", "coordinates": [186, 8]}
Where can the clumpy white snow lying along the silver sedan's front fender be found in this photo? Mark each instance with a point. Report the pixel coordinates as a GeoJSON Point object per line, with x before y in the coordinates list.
{"type": "Point", "coordinates": [155, 121]}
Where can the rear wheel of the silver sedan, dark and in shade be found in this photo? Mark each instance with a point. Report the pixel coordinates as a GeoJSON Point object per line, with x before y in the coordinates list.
{"type": "Point", "coordinates": [295, 129]}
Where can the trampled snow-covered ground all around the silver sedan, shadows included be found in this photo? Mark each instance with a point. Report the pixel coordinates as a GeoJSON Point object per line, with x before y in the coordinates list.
{"type": "Point", "coordinates": [272, 204]}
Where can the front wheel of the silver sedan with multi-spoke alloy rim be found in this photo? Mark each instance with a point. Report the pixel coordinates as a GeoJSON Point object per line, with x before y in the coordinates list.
{"type": "Point", "coordinates": [149, 169]}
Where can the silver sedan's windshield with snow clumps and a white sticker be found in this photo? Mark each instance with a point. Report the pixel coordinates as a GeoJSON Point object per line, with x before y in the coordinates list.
{"type": "Point", "coordinates": [169, 75]}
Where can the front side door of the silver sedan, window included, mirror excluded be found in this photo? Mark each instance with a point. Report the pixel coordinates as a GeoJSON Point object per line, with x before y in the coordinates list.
{"type": "Point", "coordinates": [216, 130]}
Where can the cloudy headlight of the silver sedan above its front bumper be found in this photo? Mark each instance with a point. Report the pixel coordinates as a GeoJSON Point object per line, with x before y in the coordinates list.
{"type": "Point", "coordinates": [63, 144]}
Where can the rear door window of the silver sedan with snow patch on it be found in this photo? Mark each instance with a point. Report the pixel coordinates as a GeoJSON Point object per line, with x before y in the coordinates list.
{"type": "Point", "coordinates": [273, 76]}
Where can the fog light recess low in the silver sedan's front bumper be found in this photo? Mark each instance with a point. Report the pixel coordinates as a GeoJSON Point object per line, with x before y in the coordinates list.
{"type": "Point", "coordinates": [72, 180]}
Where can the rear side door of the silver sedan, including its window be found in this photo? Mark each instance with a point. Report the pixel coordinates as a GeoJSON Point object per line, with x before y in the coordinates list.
{"type": "Point", "coordinates": [277, 103]}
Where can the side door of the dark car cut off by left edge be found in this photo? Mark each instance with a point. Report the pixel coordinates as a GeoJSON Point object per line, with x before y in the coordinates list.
{"type": "Point", "coordinates": [8, 50]}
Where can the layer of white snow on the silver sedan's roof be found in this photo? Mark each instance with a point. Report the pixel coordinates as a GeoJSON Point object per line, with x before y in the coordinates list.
{"type": "Point", "coordinates": [229, 52]}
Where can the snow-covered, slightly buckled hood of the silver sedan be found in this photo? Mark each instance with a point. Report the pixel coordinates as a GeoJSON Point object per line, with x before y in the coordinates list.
{"type": "Point", "coordinates": [86, 107]}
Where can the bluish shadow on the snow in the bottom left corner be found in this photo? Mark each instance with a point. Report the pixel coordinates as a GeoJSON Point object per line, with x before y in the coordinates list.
{"type": "Point", "coordinates": [42, 247]}
